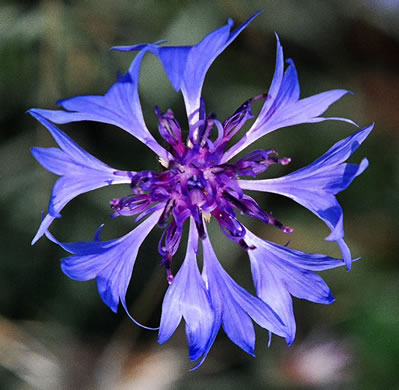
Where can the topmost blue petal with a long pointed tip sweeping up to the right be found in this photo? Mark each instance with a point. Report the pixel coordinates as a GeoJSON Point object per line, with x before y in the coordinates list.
{"type": "Point", "coordinates": [186, 66]}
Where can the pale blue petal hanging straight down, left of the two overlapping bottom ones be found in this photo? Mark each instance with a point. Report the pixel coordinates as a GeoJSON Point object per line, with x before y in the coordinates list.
{"type": "Point", "coordinates": [187, 297]}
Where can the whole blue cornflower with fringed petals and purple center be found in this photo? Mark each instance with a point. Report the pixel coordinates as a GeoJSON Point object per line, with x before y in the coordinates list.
{"type": "Point", "coordinates": [200, 181]}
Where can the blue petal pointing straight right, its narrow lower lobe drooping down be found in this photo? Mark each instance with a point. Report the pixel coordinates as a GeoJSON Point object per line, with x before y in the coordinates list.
{"type": "Point", "coordinates": [316, 185]}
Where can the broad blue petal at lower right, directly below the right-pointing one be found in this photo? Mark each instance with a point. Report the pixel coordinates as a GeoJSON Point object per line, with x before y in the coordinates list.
{"type": "Point", "coordinates": [280, 272]}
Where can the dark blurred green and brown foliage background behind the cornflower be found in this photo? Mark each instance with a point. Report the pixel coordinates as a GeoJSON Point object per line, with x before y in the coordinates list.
{"type": "Point", "coordinates": [55, 333]}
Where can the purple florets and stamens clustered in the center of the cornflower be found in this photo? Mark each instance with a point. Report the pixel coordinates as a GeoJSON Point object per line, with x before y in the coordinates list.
{"type": "Point", "coordinates": [195, 183]}
